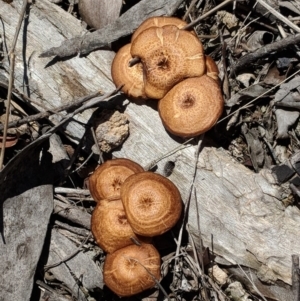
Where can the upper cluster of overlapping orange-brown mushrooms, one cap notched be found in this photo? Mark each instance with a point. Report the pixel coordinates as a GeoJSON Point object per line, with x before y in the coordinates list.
{"type": "Point", "coordinates": [173, 69]}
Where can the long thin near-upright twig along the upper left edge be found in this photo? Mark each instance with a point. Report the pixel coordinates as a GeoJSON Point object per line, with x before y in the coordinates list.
{"type": "Point", "coordinates": [11, 79]}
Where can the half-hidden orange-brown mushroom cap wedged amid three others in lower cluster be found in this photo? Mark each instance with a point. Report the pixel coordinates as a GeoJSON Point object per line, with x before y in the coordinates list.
{"type": "Point", "coordinates": [110, 227]}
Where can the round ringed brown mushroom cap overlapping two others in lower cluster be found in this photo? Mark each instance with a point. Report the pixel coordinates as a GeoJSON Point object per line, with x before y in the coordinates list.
{"type": "Point", "coordinates": [152, 203]}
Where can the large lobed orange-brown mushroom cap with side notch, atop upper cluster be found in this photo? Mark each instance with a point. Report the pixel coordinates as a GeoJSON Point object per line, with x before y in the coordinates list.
{"type": "Point", "coordinates": [168, 55]}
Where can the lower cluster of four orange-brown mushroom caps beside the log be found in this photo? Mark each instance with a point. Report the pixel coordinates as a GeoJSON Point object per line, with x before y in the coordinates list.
{"type": "Point", "coordinates": [133, 206]}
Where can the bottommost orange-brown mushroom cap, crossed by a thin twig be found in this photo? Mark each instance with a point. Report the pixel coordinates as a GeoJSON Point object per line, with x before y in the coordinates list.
{"type": "Point", "coordinates": [126, 271]}
